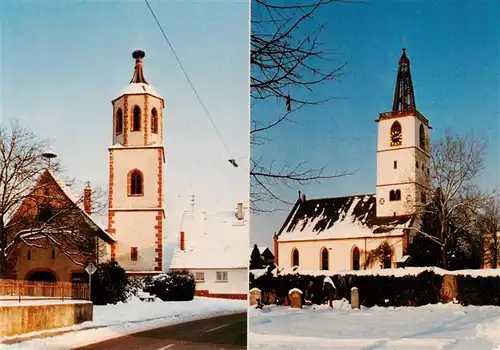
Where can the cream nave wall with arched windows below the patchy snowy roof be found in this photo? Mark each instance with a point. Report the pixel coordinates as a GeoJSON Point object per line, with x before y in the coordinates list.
{"type": "Point", "coordinates": [340, 252]}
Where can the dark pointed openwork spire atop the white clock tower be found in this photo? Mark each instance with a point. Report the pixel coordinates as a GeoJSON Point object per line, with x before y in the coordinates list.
{"type": "Point", "coordinates": [404, 98]}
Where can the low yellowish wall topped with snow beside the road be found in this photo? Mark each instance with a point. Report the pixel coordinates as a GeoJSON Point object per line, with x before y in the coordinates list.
{"type": "Point", "coordinates": [26, 317]}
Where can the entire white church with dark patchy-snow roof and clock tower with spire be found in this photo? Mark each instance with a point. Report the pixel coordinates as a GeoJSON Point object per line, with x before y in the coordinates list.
{"type": "Point", "coordinates": [367, 231]}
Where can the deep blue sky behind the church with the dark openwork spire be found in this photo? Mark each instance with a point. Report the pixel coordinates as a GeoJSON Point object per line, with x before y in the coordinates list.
{"type": "Point", "coordinates": [454, 49]}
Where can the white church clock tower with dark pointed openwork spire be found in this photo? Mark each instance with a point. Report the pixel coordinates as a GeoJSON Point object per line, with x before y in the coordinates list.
{"type": "Point", "coordinates": [403, 158]}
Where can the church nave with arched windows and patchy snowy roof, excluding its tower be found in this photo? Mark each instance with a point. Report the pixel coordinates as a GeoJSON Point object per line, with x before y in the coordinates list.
{"type": "Point", "coordinates": [339, 234]}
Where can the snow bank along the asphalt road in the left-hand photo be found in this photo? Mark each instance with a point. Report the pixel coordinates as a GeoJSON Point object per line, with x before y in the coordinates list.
{"type": "Point", "coordinates": [112, 321]}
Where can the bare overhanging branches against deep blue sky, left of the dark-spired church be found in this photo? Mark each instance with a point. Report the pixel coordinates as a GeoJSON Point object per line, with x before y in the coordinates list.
{"type": "Point", "coordinates": [286, 56]}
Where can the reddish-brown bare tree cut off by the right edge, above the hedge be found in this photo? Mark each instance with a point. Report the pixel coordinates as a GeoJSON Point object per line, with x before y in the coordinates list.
{"type": "Point", "coordinates": [488, 229]}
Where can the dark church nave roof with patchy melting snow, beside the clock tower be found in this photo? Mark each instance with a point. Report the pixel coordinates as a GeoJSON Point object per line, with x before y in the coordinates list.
{"type": "Point", "coordinates": [340, 217]}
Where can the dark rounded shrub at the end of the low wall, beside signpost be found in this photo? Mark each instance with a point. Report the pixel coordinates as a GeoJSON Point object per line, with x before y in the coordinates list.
{"type": "Point", "coordinates": [109, 284]}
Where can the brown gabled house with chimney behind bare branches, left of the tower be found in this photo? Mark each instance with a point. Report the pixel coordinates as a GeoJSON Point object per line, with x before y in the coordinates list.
{"type": "Point", "coordinates": [52, 235]}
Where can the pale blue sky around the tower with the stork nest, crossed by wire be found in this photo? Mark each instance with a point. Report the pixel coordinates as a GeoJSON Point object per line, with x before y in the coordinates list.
{"type": "Point", "coordinates": [64, 62]}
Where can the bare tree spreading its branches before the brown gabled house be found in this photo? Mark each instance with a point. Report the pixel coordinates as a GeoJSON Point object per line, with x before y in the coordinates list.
{"type": "Point", "coordinates": [34, 211]}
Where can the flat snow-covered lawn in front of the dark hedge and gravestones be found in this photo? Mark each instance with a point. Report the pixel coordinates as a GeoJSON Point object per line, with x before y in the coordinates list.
{"type": "Point", "coordinates": [442, 326]}
